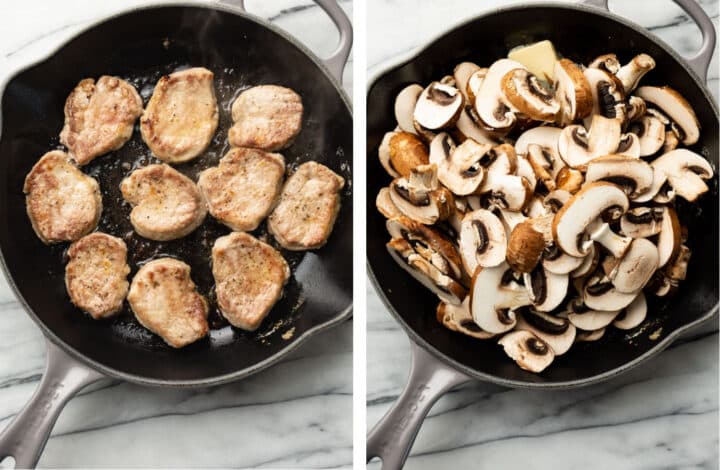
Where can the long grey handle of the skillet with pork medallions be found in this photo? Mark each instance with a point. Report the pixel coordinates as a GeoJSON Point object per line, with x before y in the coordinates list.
{"type": "Point", "coordinates": [25, 437]}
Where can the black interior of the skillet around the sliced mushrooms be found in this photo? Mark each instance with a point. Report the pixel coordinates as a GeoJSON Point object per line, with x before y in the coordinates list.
{"type": "Point", "coordinates": [579, 35]}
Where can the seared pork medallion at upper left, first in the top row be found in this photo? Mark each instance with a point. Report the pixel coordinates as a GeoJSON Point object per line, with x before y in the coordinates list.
{"type": "Point", "coordinates": [99, 117]}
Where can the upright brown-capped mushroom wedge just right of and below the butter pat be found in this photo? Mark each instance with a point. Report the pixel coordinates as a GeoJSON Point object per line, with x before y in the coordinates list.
{"type": "Point", "coordinates": [572, 91]}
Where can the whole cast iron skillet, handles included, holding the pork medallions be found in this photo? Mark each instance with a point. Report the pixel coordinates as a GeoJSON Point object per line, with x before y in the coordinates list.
{"type": "Point", "coordinates": [141, 45]}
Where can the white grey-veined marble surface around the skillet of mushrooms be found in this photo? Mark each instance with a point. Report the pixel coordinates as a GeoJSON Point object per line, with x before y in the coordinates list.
{"type": "Point", "coordinates": [663, 415]}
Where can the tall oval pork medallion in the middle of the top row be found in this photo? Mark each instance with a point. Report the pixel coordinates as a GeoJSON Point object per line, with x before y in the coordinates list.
{"type": "Point", "coordinates": [182, 115]}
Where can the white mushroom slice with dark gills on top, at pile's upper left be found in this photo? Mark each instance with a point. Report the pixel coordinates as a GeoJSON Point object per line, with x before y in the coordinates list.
{"type": "Point", "coordinates": [438, 106]}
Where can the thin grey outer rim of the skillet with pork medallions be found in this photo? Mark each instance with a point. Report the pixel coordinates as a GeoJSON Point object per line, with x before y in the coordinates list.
{"type": "Point", "coordinates": [49, 335]}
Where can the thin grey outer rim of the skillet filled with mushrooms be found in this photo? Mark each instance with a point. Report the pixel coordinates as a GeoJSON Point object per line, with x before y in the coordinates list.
{"type": "Point", "coordinates": [383, 68]}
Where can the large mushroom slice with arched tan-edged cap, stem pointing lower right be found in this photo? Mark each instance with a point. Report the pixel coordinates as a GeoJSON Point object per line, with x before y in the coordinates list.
{"type": "Point", "coordinates": [570, 227]}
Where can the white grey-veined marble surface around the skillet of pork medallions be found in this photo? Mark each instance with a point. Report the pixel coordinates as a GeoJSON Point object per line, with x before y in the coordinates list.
{"type": "Point", "coordinates": [297, 414]}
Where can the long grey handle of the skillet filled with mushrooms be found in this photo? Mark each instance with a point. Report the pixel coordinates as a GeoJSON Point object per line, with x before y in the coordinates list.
{"type": "Point", "coordinates": [393, 436]}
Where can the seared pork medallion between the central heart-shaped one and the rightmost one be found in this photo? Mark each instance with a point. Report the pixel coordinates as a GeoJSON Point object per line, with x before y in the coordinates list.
{"type": "Point", "coordinates": [241, 191]}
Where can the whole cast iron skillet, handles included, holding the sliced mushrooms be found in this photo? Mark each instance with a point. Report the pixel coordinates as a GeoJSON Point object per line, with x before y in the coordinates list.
{"type": "Point", "coordinates": [443, 359]}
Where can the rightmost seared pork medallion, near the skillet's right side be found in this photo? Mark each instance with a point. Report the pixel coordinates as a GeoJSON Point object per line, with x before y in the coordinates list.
{"type": "Point", "coordinates": [308, 205]}
